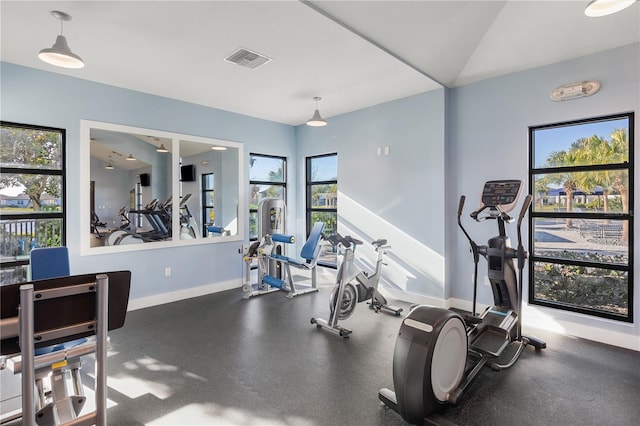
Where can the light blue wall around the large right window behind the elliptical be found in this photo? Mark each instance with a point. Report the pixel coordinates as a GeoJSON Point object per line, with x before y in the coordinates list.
{"type": "Point", "coordinates": [488, 139]}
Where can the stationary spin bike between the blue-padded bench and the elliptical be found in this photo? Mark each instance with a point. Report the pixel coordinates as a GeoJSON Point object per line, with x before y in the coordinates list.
{"type": "Point", "coordinates": [347, 293]}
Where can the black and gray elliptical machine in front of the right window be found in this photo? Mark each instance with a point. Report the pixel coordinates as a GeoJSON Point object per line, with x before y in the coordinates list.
{"type": "Point", "coordinates": [438, 352]}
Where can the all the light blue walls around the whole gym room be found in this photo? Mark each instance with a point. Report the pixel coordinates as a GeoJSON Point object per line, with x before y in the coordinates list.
{"type": "Point", "coordinates": [409, 197]}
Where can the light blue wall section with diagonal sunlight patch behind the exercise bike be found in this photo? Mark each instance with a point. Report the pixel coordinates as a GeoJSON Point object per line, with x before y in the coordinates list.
{"type": "Point", "coordinates": [399, 196]}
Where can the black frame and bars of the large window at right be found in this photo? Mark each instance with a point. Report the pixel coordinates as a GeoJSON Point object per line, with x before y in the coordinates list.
{"type": "Point", "coordinates": [628, 216]}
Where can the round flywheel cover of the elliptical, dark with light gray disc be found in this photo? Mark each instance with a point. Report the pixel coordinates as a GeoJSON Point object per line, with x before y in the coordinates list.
{"type": "Point", "coordinates": [429, 361]}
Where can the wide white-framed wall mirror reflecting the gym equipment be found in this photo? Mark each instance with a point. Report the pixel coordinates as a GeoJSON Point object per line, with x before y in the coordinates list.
{"type": "Point", "coordinates": [149, 189]}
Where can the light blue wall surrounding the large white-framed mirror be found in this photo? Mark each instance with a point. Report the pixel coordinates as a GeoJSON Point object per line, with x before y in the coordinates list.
{"type": "Point", "coordinates": [42, 98]}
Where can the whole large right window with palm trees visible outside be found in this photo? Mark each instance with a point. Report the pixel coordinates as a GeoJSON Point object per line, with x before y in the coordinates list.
{"type": "Point", "coordinates": [581, 226]}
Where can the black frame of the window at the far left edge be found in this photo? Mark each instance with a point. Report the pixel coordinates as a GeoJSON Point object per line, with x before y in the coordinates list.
{"type": "Point", "coordinates": [62, 172]}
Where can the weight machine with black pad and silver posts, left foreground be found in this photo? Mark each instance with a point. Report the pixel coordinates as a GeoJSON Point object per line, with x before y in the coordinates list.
{"type": "Point", "coordinates": [50, 312]}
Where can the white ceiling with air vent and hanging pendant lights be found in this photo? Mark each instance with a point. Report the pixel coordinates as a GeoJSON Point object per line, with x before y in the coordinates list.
{"type": "Point", "coordinates": [353, 54]}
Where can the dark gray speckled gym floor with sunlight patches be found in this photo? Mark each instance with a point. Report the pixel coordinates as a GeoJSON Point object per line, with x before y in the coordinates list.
{"type": "Point", "coordinates": [219, 359]}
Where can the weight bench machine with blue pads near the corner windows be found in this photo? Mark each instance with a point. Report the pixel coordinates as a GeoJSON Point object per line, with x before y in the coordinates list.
{"type": "Point", "coordinates": [266, 251]}
